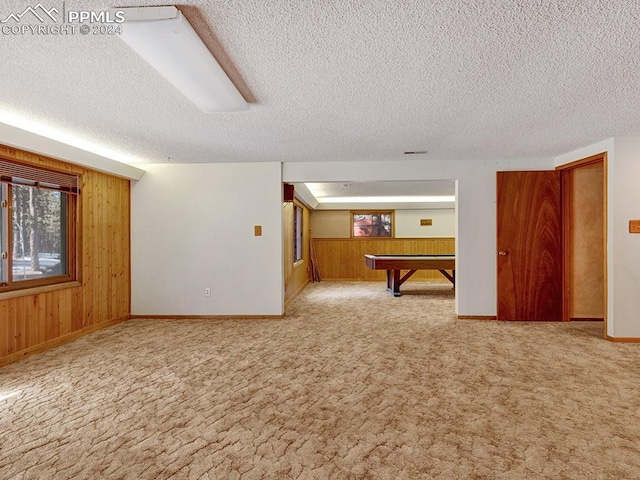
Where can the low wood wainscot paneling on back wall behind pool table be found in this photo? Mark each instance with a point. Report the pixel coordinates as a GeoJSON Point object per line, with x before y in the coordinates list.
{"type": "Point", "coordinates": [343, 258]}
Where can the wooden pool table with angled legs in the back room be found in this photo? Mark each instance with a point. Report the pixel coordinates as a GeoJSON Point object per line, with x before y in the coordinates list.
{"type": "Point", "coordinates": [394, 264]}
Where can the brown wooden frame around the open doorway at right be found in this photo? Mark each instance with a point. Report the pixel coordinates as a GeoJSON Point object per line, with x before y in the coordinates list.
{"type": "Point", "coordinates": [567, 213]}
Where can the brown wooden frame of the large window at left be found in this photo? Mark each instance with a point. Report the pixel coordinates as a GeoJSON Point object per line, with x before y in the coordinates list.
{"type": "Point", "coordinates": [69, 227]}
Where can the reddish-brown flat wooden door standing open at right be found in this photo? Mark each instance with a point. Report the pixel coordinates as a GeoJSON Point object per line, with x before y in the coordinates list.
{"type": "Point", "coordinates": [529, 260]}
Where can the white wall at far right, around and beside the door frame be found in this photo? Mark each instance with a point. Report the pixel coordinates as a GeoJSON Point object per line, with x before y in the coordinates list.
{"type": "Point", "coordinates": [623, 248]}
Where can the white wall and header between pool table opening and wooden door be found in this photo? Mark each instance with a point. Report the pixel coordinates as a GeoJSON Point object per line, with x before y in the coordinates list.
{"type": "Point", "coordinates": [475, 209]}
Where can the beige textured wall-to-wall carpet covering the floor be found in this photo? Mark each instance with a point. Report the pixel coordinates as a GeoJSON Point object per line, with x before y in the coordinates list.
{"type": "Point", "coordinates": [352, 384]}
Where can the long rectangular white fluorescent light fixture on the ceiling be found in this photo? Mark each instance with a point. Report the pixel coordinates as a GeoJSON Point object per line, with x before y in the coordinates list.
{"type": "Point", "coordinates": [166, 40]}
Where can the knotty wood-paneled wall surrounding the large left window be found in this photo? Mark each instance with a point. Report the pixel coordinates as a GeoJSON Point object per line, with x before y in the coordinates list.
{"type": "Point", "coordinates": [32, 322]}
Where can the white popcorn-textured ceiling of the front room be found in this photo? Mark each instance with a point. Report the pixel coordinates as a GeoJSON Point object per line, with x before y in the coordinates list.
{"type": "Point", "coordinates": [347, 80]}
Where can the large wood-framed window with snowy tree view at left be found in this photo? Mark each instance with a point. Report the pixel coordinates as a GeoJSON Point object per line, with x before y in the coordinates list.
{"type": "Point", "coordinates": [38, 226]}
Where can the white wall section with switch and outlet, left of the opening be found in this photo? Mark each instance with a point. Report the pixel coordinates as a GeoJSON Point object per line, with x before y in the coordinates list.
{"type": "Point", "coordinates": [193, 228]}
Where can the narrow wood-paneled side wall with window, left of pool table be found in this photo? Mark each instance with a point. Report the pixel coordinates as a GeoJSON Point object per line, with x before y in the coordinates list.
{"type": "Point", "coordinates": [296, 276]}
